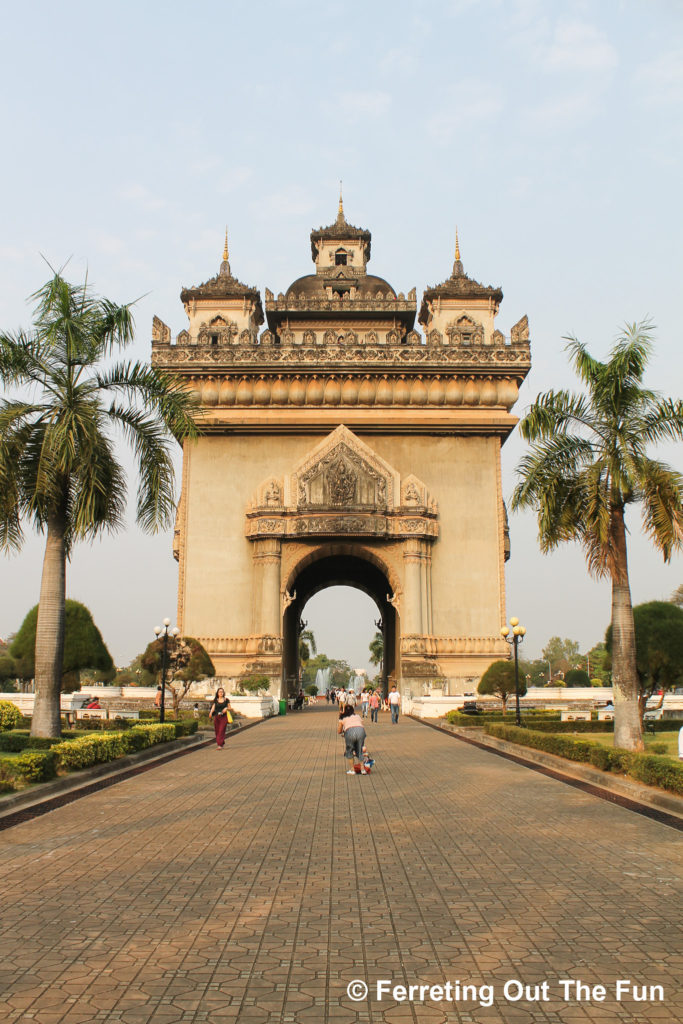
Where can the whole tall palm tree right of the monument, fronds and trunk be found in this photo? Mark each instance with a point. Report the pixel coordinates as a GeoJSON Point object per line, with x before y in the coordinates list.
{"type": "Point", "coordinates": [587, 464]}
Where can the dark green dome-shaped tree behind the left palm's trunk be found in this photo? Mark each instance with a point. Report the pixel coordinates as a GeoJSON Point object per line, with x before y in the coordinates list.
{"type": "Point", "coordinates": [84, 648]}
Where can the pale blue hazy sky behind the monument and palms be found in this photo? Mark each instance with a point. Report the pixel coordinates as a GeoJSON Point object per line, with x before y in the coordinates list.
{"type": "Point", "coordinates": [550, 132]}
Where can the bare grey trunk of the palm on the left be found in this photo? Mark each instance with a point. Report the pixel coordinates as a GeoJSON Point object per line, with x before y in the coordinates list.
{"type": "Point", "coordinates": [51, 633]}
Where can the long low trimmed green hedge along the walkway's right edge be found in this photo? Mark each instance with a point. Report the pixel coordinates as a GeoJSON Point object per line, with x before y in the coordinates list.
{"type": "Point", "coordinates": [650, 769]}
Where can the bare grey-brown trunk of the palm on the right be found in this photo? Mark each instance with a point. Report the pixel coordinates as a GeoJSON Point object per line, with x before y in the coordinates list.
{"type": "Point", "coordinates": [628, 730]}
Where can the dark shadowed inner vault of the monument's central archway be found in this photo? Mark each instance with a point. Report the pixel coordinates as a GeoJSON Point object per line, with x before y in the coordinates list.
{"type": "Point", "coordinates": [334, 568]}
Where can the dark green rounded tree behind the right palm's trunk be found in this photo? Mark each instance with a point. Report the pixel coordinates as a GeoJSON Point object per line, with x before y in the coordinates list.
{"type": "Point", "coordinates": [659, 628]}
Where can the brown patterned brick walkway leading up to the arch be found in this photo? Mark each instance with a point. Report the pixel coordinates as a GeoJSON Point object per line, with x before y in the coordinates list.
{"type": "Point", "coordinates": [255, 884]}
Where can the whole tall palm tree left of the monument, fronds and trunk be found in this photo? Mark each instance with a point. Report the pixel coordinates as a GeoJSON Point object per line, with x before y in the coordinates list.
{"type": "Point", "coordinates": [59, 468]}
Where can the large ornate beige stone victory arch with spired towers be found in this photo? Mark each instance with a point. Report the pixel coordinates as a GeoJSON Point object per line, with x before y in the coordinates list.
{"type": "Point", "coordinates": [340, 446]}
